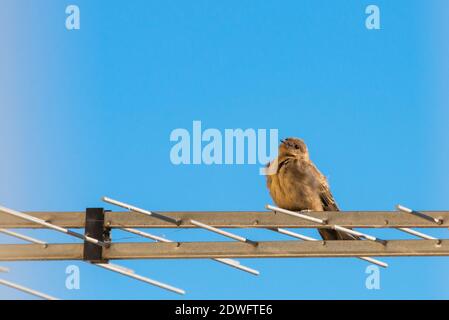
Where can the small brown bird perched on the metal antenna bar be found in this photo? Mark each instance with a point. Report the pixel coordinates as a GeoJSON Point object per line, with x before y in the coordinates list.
{"type": "Point", "coordinates": [296, 184]}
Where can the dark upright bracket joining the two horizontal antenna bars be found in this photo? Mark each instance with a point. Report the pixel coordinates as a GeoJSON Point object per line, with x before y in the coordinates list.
{"type": "Point", "coordinates": [95, 228]}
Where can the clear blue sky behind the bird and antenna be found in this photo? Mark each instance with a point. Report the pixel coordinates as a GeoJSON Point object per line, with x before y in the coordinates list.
{"type": "Point", "coordinates": [89, 113]}
